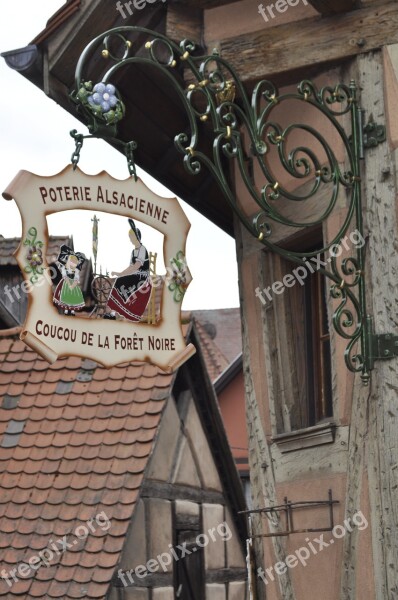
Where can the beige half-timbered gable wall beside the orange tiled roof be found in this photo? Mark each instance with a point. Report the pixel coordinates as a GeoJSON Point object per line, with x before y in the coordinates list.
{"type": "Point", "coordinates": [181, 498]}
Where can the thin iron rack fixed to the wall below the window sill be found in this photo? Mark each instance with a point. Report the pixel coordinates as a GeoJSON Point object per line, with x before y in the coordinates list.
{"type": "Point", "coordinates": [288, 508]}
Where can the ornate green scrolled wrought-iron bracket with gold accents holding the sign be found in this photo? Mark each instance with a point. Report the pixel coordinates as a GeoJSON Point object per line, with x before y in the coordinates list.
{"type": "Point", "coordinates": [245, 131]}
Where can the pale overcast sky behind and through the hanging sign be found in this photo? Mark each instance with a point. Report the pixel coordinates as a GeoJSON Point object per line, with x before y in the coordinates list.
{"type": "Point", "coordinates": [35, 137]}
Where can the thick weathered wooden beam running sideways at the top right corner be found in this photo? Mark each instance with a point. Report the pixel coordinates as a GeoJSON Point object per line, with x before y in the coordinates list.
{"type": "Point", "coordinates": [278, 50]}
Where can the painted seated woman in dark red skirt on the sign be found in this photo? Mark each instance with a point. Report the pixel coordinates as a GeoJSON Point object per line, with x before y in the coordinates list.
{"type": "Point", "coordinates": [132, 289]}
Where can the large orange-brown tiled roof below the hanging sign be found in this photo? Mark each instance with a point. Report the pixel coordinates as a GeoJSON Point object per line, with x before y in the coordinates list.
{"type": "Point", "coordinates": [80, 436]}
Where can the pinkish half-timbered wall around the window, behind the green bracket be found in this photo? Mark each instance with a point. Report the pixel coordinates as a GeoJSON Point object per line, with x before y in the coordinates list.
{"type": "Point", "coordinates": [354, 452]}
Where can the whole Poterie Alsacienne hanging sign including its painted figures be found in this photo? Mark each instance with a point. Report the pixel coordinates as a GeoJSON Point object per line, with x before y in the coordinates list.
{"type": "Point", "coordinates": [135, 314]}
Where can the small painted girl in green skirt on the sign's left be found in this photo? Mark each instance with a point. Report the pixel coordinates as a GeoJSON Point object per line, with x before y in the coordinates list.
{"type": "Point", "coordinates": [68, 294]}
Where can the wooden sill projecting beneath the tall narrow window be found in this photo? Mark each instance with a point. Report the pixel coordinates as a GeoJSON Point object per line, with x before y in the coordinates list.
{"type": "Point", "coordinates": [309, 437]}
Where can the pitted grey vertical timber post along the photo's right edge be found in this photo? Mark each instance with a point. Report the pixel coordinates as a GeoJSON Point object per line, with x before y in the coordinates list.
{"type": "Point", "coordinates": [381, 452]}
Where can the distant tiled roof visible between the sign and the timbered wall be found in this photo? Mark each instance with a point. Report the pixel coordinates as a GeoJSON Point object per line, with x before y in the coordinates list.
{"type": "Point", "coordinates": [224, 327]}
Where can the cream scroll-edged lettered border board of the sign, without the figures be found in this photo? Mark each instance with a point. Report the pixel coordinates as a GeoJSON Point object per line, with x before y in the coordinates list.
{"type": "Point", "coordinates": [47, 329]}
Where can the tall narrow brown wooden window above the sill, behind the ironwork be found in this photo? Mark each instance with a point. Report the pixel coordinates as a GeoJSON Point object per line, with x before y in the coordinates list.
{"type": "Point", "coordinates": [299, 345]}
